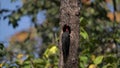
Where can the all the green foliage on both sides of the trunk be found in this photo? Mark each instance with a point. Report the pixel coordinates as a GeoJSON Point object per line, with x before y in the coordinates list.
{"type": "Point", "coordinates": [100, 36]}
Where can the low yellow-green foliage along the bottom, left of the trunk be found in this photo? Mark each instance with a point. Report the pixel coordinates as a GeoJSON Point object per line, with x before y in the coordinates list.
{"type": "Point", "coordinates": [49, 59]}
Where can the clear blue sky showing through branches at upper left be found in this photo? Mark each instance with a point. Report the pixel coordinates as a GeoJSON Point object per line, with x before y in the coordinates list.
{"type": "Point", "coordinates": [7, 30]}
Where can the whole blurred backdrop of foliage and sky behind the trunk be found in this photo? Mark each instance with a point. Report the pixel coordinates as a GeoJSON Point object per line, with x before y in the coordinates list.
{"type": "Point", "coordinates": [29, 32]}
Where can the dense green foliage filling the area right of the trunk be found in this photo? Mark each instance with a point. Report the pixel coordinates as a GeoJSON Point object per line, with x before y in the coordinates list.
{"type": "Point", "coordinates": [102, 34]}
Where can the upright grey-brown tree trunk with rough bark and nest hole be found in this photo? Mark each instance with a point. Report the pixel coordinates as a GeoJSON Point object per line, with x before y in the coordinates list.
{"type": "Point", "coordinates": [69, 14]}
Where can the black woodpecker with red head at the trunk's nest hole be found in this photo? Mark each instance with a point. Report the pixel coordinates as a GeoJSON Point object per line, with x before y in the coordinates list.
{"type": "Point", "coordinates": [66, 42]}
